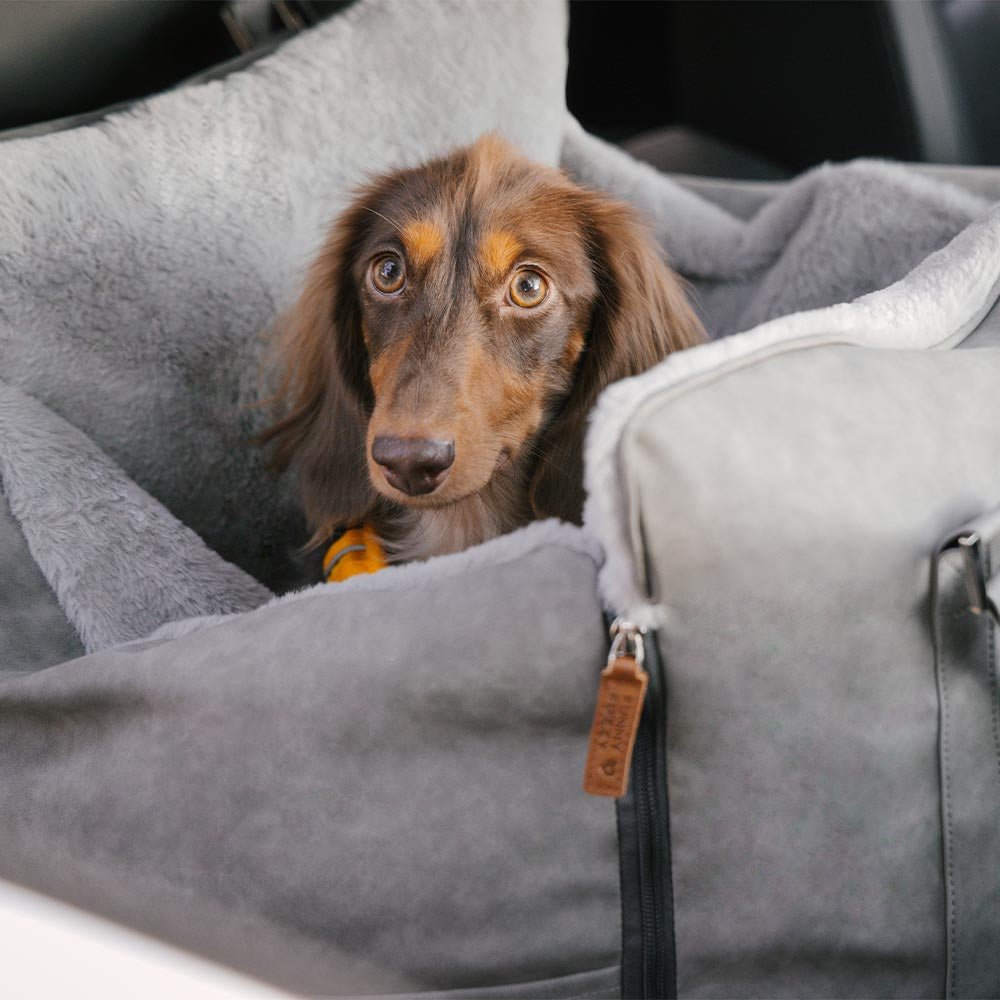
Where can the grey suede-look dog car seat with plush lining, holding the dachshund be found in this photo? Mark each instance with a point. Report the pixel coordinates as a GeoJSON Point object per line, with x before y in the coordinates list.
{"type": "Point", "coordinates": [375, 786]}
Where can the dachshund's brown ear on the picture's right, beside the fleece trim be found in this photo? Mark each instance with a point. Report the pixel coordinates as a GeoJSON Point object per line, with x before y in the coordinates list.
{"type": "Point", "coordinates": [640, 315]}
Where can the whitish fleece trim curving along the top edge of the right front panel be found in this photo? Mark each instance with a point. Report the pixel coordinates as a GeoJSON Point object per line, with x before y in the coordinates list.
{"type": "Point", "coordinates": [935, 305]}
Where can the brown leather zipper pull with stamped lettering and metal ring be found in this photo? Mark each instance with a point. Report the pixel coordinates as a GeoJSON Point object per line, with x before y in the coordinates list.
{"type": "Point", "coordinates": [616, 719]}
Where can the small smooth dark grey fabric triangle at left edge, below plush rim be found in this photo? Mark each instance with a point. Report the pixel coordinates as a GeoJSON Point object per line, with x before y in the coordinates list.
{"type": "Point", "coordinates": [34, 632]}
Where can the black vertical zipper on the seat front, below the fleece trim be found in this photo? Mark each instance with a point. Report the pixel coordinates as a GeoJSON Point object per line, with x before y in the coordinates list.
{"type": "Point", "coordinates": [649, 967]}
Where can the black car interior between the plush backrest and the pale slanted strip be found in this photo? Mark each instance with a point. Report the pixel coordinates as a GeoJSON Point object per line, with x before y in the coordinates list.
{"type": "Point", "coordinates": [795, 82]}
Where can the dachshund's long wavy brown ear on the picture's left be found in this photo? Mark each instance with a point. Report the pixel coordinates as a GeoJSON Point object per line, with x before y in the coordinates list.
{"type": "Point", "coordinates": [324, 393]}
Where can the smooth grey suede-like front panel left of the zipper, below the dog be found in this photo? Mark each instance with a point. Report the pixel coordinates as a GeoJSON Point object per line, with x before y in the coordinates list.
{"type": "Point", "coordinates": [394, 776]}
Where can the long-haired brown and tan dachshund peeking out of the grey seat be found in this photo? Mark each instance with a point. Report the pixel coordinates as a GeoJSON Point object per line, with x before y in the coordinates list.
{"type": "Point", "coordinates": [450, 340]}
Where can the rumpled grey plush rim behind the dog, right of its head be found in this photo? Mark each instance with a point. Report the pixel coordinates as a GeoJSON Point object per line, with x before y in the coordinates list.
{"type": "Point", "coordinates": [834, 233]}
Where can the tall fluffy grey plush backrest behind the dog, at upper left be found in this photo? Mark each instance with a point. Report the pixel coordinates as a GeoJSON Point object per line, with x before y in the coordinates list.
{"type": "Point", "coordinates": [142, 257]}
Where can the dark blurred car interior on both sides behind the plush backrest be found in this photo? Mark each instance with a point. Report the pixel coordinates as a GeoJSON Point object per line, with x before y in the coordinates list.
{"type": "Point", "coordinates": [741, 88]}
